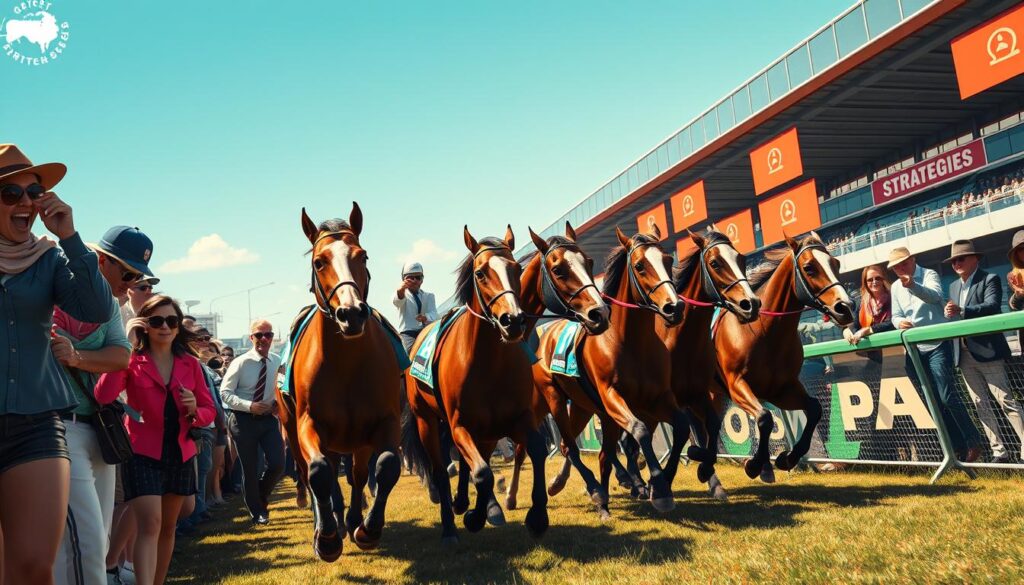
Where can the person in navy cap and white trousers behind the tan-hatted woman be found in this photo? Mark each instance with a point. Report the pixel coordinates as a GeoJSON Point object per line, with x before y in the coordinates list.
{"type": "Point", "coordinates": [87, 351]}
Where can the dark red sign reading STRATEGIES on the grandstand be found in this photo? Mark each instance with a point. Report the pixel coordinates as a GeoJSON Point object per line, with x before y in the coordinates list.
{"type": "Point", "coordinates": [936, 171]}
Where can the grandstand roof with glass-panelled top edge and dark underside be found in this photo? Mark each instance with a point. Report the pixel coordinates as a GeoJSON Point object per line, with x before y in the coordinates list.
{"type": "Point", "coordinates": [897, 95]}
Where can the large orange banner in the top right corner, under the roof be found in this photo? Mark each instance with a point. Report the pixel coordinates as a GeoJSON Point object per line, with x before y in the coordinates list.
{"type": "Point", "coordinates": [990, 55]}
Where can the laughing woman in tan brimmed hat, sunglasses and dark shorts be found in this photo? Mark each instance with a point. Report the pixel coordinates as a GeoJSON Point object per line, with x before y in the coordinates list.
{"type": "Point", "coordinates": [36, 276]}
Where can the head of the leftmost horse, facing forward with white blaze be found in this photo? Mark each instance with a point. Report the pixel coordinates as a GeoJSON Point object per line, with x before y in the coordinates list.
{"type": "Point", "coordinates": [340, 277]}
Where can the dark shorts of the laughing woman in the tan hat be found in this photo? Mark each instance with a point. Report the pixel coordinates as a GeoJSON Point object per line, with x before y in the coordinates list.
{"type": "Point", "coordinates": [28, 438]}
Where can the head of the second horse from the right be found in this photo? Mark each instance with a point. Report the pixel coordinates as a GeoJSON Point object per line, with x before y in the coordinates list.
{"type": "Point", "coordinates": [724, 276]}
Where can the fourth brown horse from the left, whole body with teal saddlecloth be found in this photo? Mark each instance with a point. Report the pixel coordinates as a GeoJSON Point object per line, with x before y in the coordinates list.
{"type": "Point", "coordinates": [625, 372]}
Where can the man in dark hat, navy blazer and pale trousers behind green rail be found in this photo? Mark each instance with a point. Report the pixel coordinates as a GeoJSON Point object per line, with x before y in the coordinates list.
{"type": "Point", "coordinates": [983, 358]}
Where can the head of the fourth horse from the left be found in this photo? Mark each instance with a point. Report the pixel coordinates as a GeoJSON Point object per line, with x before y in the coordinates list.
{"type": "Point", "coordinates": [649, 268]}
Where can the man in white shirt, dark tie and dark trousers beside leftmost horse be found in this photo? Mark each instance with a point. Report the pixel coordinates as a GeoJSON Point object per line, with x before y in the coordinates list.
{"type": "Point", "coordinates": [248, 393]}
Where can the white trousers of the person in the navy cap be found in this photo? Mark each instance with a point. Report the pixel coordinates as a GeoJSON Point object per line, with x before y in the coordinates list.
{"type": "Point", "coordinates": [82, 559]}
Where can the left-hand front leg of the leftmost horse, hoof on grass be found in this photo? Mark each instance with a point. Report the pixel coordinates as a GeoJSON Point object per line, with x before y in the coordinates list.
{"type": "Point", "coordinates": [328, 541]}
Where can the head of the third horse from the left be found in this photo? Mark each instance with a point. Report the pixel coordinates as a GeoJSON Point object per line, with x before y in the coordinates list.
{"type": "Point", "coordinates": [568, 281]}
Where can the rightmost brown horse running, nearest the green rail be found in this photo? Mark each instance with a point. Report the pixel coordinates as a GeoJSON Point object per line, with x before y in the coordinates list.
{"type": "Point", "coordinates": [761, 361]}
